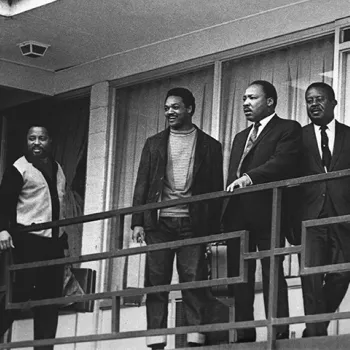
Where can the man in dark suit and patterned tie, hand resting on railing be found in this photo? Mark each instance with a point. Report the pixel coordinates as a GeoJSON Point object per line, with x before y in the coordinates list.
{"type": "Point", "coordinates": [266, 151]}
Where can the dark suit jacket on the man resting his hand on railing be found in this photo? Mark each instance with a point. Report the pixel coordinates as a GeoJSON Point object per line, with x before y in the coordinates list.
{"type": "Point", "coordinates": [273, 157]}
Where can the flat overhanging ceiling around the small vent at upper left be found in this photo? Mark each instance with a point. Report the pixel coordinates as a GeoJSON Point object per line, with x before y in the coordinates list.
{"type": "Point", "coordinates": [80, 31]}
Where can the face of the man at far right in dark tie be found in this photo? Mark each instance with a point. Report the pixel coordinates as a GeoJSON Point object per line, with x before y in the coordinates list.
{"type": "Point", "coordinates": [320, 108]}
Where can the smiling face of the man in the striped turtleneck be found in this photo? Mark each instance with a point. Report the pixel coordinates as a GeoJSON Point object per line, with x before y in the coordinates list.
{"type": "Point", "coordinates": [178, 115]}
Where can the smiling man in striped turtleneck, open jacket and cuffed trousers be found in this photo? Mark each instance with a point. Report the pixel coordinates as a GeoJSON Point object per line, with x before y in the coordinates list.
{"type": "Point", "coordinates": [176, 163]}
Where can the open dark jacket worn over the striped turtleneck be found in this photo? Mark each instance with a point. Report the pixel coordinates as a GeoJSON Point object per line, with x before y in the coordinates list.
{"type": "Point", "coordinates": [207, 177]}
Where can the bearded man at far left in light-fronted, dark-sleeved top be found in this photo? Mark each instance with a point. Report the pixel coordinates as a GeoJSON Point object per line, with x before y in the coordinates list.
{"type": "Point", "coordinates": [32, 191]}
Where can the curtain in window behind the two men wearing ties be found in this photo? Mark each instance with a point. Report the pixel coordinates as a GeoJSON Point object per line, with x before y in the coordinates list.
{"type": "Point", "coordinates": [290, 70]}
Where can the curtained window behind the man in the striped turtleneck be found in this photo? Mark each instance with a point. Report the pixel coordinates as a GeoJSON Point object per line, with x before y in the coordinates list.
{"type": "Point", "coordinates": [140, 114]}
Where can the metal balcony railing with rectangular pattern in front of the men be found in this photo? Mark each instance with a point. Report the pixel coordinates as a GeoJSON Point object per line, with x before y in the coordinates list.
{"type": "Point", "coordinates": [115, 296]}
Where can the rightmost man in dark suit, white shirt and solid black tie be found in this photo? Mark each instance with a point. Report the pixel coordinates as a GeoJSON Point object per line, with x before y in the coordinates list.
{"type": "Point", "coordinates": [326, 147]}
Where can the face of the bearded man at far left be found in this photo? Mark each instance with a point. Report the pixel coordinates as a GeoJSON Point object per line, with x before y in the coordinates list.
{"type": "Point", "coordinates": [38, 142]}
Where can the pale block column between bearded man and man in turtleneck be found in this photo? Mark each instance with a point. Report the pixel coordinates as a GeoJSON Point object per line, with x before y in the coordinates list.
{"type": "Point", "coordinates": [93, 239]}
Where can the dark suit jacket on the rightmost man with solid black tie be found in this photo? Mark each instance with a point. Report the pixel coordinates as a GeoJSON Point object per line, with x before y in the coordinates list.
{"type": "Point", "coordinates": [313, 195]}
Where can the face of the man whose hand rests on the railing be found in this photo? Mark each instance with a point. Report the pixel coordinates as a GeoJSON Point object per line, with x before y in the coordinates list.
{"type": "Point", "coordinates": [255, 104]}
